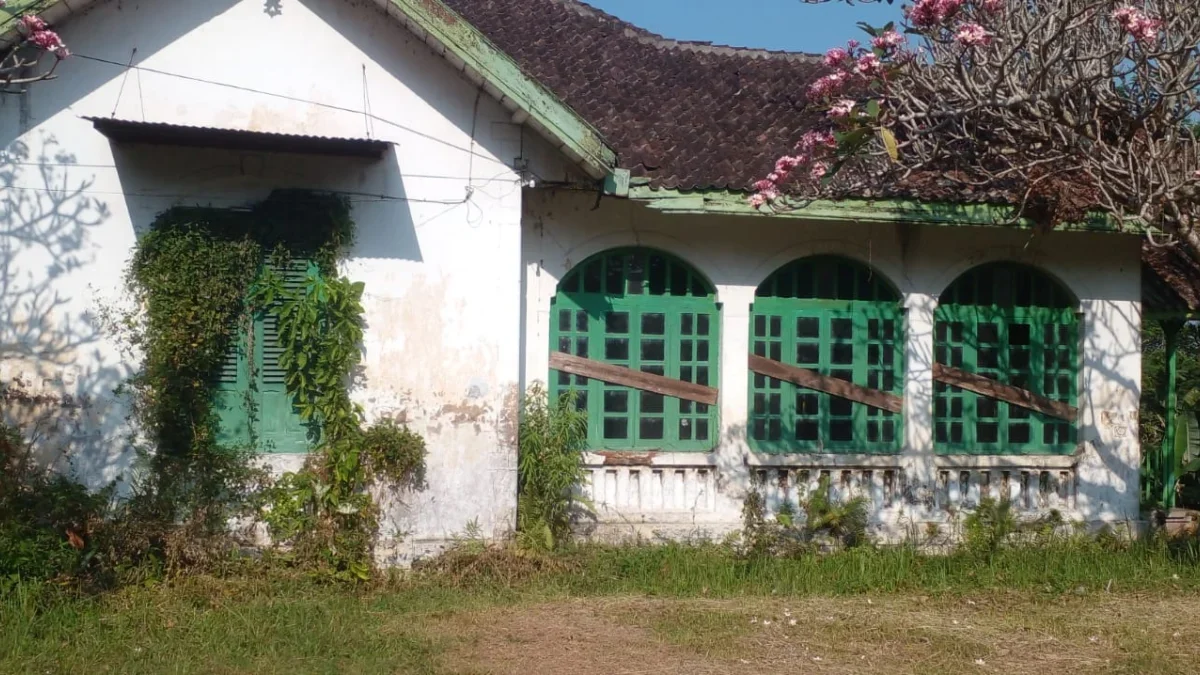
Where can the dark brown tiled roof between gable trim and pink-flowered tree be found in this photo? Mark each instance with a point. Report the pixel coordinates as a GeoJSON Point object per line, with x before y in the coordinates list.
{"type": "Point", "coordinates": [683, 115]}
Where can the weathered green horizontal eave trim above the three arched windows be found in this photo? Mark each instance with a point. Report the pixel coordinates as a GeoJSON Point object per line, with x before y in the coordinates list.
{"type": "Point", "coordinates": [728, 202]}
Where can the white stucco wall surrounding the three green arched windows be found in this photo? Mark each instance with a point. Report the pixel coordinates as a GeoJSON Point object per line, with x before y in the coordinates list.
{"type": "Point", "coordinates": [700, 494]}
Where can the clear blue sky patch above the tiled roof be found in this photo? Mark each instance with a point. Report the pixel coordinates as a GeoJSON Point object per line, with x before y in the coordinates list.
{"type": "Point", "coordinates": [770, 25]}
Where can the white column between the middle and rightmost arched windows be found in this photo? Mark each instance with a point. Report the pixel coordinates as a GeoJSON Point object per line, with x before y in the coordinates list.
{"type": "Point", "coordinates": [917, 457]}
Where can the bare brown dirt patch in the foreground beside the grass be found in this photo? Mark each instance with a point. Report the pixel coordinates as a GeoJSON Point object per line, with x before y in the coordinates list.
{"type": "Point", "coordinates": [993, 634]}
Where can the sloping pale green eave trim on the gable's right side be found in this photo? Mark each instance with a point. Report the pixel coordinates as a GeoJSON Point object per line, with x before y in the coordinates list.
{"type": "Point", "coordinates": [471, 46]}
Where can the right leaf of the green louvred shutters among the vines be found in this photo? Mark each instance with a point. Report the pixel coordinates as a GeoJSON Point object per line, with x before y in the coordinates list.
{"type": "Point", "coordinates": [280, 427]}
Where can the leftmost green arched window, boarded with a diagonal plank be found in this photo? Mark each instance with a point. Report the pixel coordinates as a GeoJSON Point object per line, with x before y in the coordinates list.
{"type": "Point", "coordinates": [646, 312]}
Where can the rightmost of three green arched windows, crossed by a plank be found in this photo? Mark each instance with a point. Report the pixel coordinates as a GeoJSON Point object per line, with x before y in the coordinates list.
{"type": "Point", "coordinates": [1006, 345]}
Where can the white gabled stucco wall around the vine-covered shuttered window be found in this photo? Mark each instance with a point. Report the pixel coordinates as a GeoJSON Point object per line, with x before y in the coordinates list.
{"type": "Point", "coordinates": [439, 224]}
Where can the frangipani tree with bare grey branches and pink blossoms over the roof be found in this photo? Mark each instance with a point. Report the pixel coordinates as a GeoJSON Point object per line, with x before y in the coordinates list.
{"type": "Point", "coordinates": [1057, 107]}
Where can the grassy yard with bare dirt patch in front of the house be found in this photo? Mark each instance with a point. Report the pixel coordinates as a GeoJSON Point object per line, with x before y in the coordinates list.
{"type": "Point", "coordinates": [647, 611]}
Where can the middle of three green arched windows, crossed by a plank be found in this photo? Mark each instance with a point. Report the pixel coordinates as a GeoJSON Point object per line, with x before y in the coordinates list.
{"type": "Point", "coordinates": [819, 320]}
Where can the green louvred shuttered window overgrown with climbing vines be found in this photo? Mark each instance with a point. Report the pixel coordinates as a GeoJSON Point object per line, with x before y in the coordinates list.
{"type": "Point", "coordinates": [251, 398]}
